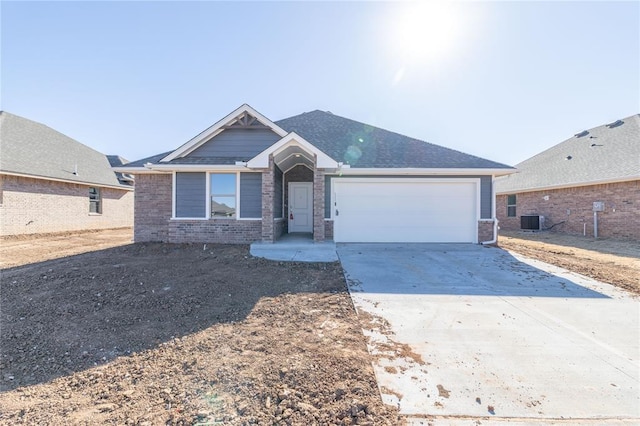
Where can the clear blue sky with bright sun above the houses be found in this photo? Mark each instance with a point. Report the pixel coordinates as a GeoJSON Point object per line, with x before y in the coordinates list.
{"type": "Point", "coordinates": [500, 80]}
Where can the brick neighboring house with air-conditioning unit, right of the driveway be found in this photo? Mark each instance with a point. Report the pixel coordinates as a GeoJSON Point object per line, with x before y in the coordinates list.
{"type": "Point", "coordinates": [597, 168]}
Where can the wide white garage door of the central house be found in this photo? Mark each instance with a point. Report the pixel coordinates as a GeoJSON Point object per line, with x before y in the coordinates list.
{"type": "Point", "coordinates": [403, 210]}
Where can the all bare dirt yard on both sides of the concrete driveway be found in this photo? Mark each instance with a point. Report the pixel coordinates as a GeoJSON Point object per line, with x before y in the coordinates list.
{"type": "Point", "coordinates": [109, 332]}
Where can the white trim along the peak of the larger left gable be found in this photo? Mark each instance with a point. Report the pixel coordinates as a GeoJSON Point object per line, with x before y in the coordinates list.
{"type": "Point", "coordinates": [244, 117]}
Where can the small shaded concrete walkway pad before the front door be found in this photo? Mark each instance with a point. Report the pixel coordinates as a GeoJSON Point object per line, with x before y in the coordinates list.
{"type": "Point", "coordinates": [296, 248]}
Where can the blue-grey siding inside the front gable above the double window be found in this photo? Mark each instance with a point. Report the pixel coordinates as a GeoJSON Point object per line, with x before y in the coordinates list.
{"type": "Point", "coordinates": [237, 143]}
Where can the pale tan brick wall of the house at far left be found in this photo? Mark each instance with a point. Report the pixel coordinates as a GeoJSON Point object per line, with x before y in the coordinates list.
{"type": "Point", "coordinates": [34, 206]}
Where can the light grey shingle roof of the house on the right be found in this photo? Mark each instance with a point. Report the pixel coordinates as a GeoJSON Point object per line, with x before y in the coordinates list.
{"type": "Point", "coordinates": [604, 154]}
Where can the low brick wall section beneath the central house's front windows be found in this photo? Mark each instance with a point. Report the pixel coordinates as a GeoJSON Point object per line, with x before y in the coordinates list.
{"type": "Point", "coordinates": [223, 231]}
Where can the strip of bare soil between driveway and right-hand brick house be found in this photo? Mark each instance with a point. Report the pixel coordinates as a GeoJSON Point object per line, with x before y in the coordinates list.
{"type": "Point", "coordinates": [616, 262]}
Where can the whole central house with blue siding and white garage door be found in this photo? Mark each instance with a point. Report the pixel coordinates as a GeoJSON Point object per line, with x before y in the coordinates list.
{"type": "Point", "coordinates": [247, 178]}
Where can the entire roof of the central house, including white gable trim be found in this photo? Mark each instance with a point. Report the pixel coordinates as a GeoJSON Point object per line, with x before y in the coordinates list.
{"type": "Point", "coordinates": [334, 140]}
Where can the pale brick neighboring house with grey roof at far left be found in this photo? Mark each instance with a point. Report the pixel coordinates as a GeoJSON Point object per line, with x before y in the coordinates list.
{"type": "Point", "coordinates": [51, 183]}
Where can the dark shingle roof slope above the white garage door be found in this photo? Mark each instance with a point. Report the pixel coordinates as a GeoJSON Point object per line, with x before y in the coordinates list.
{"type": "Point", "coordinates": [362, 145]}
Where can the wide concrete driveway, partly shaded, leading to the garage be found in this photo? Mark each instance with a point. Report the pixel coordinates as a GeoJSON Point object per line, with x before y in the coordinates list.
{"type": "Point", "coordinates": [463, 331]}
